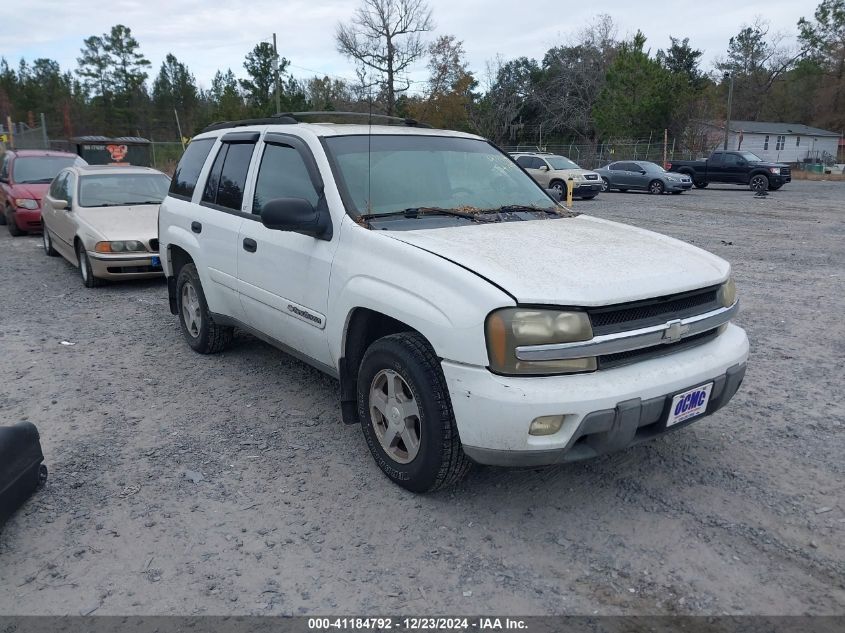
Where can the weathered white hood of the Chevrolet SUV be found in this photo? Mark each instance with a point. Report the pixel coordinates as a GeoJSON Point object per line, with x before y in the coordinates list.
{"type": "Point", "coordinates": [581, 261]}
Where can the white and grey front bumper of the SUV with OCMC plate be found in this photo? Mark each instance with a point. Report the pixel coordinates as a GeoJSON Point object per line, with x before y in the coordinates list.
{"type": "Point", "coordinates": [604, 411]}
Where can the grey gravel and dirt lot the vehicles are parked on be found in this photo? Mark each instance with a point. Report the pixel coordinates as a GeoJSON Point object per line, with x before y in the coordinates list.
{"type": "Point", "coordinates": [185, 484]}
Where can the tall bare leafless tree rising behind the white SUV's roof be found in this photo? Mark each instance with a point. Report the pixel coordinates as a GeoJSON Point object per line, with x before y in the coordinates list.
{"type": "Point", "coordinates": [385, 36]}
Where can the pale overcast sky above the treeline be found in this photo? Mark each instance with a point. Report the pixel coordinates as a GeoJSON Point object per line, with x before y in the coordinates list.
{"type": "Point", "coordinates": [209, 34]}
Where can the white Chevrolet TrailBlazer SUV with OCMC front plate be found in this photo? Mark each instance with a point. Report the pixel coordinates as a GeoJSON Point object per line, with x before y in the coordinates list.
{"type": "Point", "coordinates": [467, 316]}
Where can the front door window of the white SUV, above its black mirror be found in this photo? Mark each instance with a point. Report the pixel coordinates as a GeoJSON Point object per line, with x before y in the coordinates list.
{"type": "Point", "coordinates": [282, 174]}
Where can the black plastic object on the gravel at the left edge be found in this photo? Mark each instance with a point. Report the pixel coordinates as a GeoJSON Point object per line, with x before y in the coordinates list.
{"type": "Point", "coordinates": [21, 466]}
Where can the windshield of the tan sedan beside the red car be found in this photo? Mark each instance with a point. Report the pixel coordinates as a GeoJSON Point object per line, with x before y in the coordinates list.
{"type": "Point", "coordinates": [114, 190]}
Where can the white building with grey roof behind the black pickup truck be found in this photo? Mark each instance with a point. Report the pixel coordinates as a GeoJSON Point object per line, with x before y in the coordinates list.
{"type": "Point", "coordinates": [781, 142]}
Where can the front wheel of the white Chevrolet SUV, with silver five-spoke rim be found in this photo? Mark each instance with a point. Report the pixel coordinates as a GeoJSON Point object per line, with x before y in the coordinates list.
{"type": "Point", "coordinates": [406, 414]}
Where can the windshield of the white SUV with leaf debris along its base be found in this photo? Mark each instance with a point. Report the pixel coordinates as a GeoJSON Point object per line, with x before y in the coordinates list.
{"type": "Point", "coordinates": [384, 174]}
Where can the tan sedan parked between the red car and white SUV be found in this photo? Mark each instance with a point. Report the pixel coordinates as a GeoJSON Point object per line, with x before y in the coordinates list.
{"type": "Point", "coordinates": [104, 219]}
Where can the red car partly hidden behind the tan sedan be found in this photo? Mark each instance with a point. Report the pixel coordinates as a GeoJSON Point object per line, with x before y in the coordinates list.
{"type": "Point", "coordinates": [25, 176]}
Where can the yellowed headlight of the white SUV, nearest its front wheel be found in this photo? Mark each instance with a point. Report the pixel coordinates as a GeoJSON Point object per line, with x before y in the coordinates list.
{"type": "Point", "coordinates": [510, 328]}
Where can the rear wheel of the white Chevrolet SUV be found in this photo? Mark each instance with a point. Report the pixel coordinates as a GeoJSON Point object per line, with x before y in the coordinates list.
{"type": "Point", "coordinates": [198, 327]}
